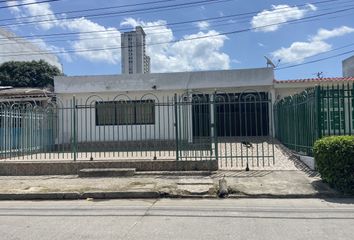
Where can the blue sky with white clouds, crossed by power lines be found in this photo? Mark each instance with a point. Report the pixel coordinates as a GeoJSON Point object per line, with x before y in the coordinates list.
{"type": "Point", "coordinates": [302, 38]}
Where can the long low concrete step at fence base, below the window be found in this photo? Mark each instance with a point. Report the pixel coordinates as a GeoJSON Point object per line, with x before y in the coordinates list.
{"type": "Point", "coordinates": [107, 172]}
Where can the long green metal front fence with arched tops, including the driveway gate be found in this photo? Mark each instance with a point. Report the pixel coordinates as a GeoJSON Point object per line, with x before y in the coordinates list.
{"type": "Point", "coordinates": [233, 128]}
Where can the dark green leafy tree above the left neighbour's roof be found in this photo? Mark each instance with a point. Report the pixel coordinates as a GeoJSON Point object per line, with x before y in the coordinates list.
{"type": "Point", "coordinates": [38, 74]}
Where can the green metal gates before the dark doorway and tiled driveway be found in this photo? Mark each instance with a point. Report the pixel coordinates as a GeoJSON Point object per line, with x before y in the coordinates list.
{"type": "Point", "coordinates": [234, 128]}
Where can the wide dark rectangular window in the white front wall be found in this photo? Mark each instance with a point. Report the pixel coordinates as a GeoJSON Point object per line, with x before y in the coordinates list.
{"type": "Point", "coordinates": [125, 112]}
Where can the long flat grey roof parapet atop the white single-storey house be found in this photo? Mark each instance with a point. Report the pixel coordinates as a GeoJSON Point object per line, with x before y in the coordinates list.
{"type": "Point", "coordinates": [165, 81]}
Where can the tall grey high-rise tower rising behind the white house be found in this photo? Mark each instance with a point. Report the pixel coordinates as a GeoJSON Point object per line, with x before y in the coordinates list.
{"type": "Point", "coordinates": [134, 58]}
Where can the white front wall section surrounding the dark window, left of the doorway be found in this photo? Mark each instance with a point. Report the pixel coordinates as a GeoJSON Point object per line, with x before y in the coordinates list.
{"type": "Point", "coordinates": [88, 131]}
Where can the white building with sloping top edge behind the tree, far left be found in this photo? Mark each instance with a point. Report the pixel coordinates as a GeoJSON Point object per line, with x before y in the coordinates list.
{"type": "Point", "coordinates": [14, 48]}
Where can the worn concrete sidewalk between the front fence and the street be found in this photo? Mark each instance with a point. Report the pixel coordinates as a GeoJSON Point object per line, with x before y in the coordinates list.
{"type": "Point", "coordinates": [241, 184]}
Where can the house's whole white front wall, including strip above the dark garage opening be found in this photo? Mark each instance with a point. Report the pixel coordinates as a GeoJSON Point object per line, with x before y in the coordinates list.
{"type": "Point", "coordinates": [163, 129]}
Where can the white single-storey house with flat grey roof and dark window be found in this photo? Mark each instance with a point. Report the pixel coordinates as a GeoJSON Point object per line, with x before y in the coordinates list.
{"type": "Point", "coordinates": [142, 106]}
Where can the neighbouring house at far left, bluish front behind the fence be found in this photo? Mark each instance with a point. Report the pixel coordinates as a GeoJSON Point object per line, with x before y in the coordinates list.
{"type": "Point", "coordinates": [24, 123]}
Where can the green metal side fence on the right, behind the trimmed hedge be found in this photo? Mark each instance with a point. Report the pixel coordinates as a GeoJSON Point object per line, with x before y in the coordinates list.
{"type": "Point", "coordinates": [303, 118]}
